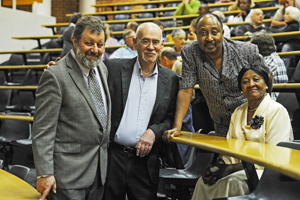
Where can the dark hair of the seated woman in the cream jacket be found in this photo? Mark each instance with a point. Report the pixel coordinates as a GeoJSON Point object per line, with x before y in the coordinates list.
{"type": "Point", "coordinates": [261, 70]}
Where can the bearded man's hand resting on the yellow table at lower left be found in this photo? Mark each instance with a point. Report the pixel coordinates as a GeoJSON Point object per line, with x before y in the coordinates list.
{"type": "Point", "coordinates": [44, 185]}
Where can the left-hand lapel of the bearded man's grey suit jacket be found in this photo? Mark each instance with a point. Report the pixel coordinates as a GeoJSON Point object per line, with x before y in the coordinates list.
{"type": "Point", "coordinates": [77, 77]}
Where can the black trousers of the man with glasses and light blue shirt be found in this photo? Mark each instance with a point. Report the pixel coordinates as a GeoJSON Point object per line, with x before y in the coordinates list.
{"type": "Point", "coordinates": [128, 174]}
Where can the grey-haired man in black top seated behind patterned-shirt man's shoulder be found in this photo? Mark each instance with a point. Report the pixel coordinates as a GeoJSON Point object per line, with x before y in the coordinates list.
{"type": "Point", "coordinates": [255, 25]}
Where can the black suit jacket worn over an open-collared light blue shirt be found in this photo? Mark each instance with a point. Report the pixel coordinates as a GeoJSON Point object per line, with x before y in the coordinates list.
{"type": "Point", "coordinates": [119, 77]}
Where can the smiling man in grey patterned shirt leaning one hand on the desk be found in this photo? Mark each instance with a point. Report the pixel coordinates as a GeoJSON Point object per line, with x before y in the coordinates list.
{"type": "Point", "coordinates": [213, 62]}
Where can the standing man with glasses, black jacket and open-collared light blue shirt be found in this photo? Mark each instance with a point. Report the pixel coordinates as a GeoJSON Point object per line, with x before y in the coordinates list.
{"type": "Point", "coordinates": [143, 107]}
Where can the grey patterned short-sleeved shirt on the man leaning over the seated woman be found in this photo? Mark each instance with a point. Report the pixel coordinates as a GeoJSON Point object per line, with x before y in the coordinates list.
{"type": "Point", "coordinates": [220, 90]}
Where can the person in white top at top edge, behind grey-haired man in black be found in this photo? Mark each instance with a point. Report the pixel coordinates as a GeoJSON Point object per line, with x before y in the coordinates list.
{"type": "Point", "coordinates": [244, 15]}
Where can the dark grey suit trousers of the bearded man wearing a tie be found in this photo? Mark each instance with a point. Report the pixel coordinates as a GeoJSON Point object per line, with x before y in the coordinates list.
{"type": "Point", "coordinates": [94, 192]}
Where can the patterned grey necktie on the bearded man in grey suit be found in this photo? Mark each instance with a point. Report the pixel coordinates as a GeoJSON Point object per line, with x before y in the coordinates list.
{"type": "Point", "coordinates": [97, 97]}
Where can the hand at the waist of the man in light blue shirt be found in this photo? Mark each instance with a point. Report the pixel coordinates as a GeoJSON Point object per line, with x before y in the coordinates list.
{"type": "Point", "coordinates": [145, 143]}
